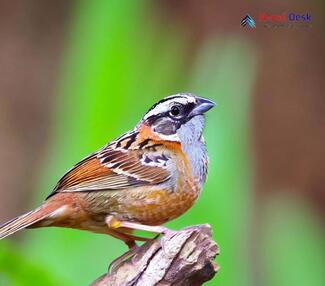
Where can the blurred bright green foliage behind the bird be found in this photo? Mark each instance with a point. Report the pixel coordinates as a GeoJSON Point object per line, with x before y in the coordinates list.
{"type": "Point", "coordinates": [119, 61]}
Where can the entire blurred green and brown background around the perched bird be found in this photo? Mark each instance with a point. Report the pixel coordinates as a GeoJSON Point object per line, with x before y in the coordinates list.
{"type": "Point", "coordinates": [76, 74]}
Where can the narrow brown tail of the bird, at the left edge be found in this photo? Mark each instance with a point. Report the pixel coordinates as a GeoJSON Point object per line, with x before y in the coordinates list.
{"type": "Point", "coordinates": [22, 222]}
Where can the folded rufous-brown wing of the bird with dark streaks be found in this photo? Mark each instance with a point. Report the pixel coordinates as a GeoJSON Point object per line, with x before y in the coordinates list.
{"type": "Point", "coordinates": [113, 169]}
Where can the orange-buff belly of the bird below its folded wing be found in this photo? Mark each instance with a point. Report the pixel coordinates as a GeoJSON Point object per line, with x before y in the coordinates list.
{"type": "Point", "coordinates": [147, 205]}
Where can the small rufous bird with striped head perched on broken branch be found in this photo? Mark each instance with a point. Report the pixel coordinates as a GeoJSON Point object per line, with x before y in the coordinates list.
{"type": "Point", "coordinates": [146, 177]}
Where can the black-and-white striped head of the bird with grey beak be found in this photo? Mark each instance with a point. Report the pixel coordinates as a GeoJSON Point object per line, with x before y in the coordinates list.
{"type": "Point", "coordinates": [168, 115]}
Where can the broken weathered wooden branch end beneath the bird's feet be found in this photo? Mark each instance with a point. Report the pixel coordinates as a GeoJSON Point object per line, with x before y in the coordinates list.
{"type": "Point", "coordinates": [184, 257]}
